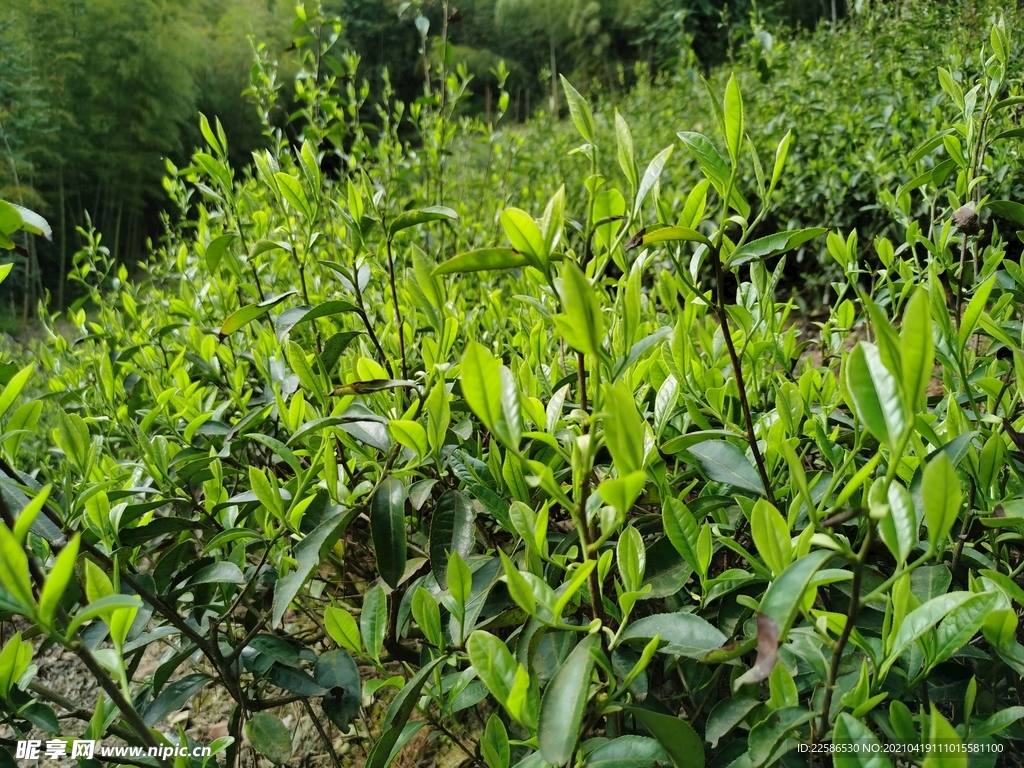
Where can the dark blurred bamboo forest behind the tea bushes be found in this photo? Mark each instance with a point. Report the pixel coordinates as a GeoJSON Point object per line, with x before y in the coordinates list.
{"type": "Point", "coordinates": [97, 96]}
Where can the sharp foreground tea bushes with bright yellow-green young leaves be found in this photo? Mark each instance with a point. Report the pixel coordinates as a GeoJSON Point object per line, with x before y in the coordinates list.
{"type": "Point", "coordinates": [567, 486]}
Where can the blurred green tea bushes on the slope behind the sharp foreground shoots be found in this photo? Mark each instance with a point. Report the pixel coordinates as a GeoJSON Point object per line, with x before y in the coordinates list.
{"type": "Point", "coordinates": [859, 99]}
